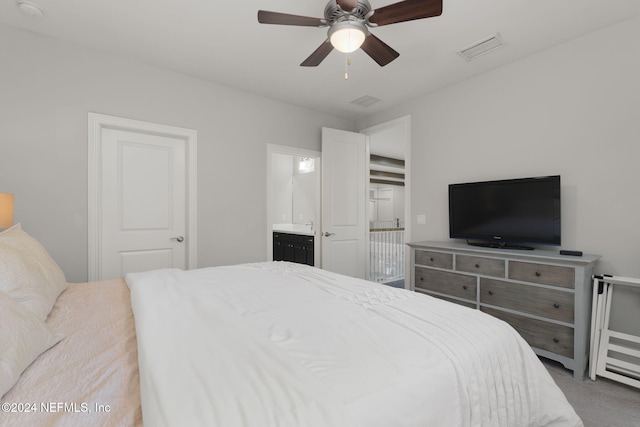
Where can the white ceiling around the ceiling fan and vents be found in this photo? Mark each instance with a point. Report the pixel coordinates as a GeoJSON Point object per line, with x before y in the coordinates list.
{"type": "Point", "coordinates": [224, 43]}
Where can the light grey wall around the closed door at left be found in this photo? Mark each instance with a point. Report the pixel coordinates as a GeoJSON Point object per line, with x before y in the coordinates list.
{"type": "Point", "coordinates": [48, 87]}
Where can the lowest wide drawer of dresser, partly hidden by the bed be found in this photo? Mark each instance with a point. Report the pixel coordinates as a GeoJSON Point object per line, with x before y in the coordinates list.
{"type": "Point", "coordinates": [547, 336]}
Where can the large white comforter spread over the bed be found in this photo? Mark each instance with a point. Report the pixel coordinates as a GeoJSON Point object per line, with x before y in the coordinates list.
{"type": "Point", "coordinates": [281, 344]}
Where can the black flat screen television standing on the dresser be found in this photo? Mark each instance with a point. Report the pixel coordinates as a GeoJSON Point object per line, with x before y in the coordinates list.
{"type": "Point", "coordinates": [511, 213]}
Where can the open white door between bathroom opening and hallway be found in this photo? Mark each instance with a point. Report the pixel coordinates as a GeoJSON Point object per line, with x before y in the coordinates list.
{"type": "Point", "coordinates": [344, 216]}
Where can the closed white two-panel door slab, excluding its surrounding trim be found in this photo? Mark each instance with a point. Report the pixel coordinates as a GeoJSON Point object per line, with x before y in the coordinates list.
{"type": "Point", "coordinates": [143, 210]}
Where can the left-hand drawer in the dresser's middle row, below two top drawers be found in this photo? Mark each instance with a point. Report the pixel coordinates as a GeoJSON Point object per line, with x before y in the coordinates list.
{"type": "Point", "coordinates": [458, 285]}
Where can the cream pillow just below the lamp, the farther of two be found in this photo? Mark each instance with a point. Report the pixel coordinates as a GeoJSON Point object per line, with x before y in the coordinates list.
{"type": "Point", "coordinates": [27, 273]}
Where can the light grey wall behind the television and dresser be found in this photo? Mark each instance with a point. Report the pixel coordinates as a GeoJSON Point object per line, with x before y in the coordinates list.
{"type": "Point", "coordinates": [571, 110]}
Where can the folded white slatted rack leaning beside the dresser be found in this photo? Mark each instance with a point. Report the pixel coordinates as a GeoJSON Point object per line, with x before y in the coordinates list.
{"type": "Point", "coordinates": [606, 343]}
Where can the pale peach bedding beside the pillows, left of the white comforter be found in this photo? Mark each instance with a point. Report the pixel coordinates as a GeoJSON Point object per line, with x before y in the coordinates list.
{"type": "Point", "coordinates": [95, 364]}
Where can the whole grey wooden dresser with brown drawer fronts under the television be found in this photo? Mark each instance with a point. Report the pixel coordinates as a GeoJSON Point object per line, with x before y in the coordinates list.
{"type": "Point", "coordinates": [545, 296]}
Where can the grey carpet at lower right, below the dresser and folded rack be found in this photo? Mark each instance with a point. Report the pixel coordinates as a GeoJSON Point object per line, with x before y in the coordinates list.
{"type": "Point", "coordinates": [600, 403]}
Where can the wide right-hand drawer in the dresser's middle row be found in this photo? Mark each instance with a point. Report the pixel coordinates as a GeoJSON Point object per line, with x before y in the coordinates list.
{"type": "Point", "coordinates": [549, 303]}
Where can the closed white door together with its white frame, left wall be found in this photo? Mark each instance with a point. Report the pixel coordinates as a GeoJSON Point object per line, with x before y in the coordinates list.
{"type": "Point", "coordinates": [142, 197]}
